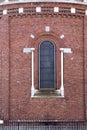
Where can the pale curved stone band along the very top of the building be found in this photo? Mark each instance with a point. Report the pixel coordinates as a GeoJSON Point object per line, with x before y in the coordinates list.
{"type": "Point", "coordinates": [28, 1]}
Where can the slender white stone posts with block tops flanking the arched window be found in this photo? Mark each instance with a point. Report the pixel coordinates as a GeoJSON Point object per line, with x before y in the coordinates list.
{"type": "Point", "coordinates": [61, 90]}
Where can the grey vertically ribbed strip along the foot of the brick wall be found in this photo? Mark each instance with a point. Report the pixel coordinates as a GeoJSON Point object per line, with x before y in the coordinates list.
{"type": "Point", "coordinates": [43, 125]}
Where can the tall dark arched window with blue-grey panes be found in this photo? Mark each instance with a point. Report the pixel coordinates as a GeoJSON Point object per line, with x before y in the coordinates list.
{"type": "Point", "coordinates": [47, 66]}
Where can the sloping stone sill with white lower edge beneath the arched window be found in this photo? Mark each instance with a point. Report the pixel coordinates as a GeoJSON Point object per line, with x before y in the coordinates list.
{"type": "Point", "coordinates": [47, 94]}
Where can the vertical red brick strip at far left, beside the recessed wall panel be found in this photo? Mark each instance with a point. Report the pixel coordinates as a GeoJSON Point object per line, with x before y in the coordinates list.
{"type": "Point", "coordinates": [4, 68]}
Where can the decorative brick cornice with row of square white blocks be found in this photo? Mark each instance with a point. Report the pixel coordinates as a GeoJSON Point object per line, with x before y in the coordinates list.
{"type": "Point", "coordinates": [37, 11]}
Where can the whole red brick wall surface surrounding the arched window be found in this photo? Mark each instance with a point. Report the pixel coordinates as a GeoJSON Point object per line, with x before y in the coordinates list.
{"type": "Point", "coordinates": [15, 66]}
